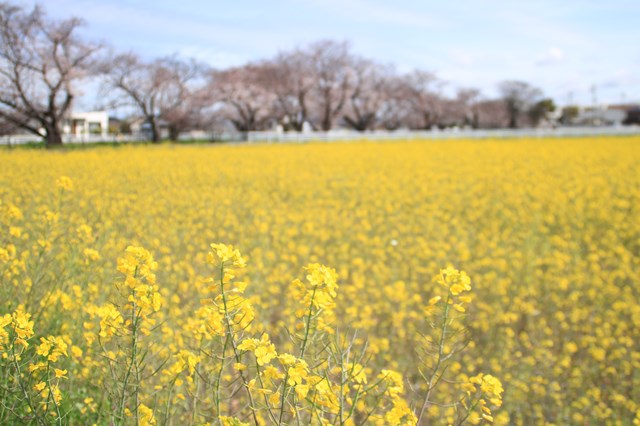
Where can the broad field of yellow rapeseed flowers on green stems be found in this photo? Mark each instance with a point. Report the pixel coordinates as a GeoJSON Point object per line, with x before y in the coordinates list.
{"type": "Point", "coordinates": [322, 284]}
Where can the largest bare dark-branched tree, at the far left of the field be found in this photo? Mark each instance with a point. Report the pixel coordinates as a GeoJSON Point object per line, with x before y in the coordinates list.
{"type": "Point", "coordinates": [40, 60]}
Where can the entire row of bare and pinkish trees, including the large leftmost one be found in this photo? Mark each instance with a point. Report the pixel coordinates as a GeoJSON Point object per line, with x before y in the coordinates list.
{"type": "Point", "coordinates": [320, 86]}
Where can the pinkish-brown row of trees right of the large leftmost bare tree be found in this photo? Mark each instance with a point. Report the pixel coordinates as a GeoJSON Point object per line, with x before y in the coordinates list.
{"type": "Point", "coordinates": [319, 86]}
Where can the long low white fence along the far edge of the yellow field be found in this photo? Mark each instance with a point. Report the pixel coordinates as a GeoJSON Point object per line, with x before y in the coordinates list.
{"type": "Point", "coordinates": [345, 135]}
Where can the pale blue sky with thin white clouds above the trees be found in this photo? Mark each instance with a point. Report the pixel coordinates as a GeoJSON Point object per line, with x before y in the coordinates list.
{"type": "Point", "coordinates": [564, 47]}
